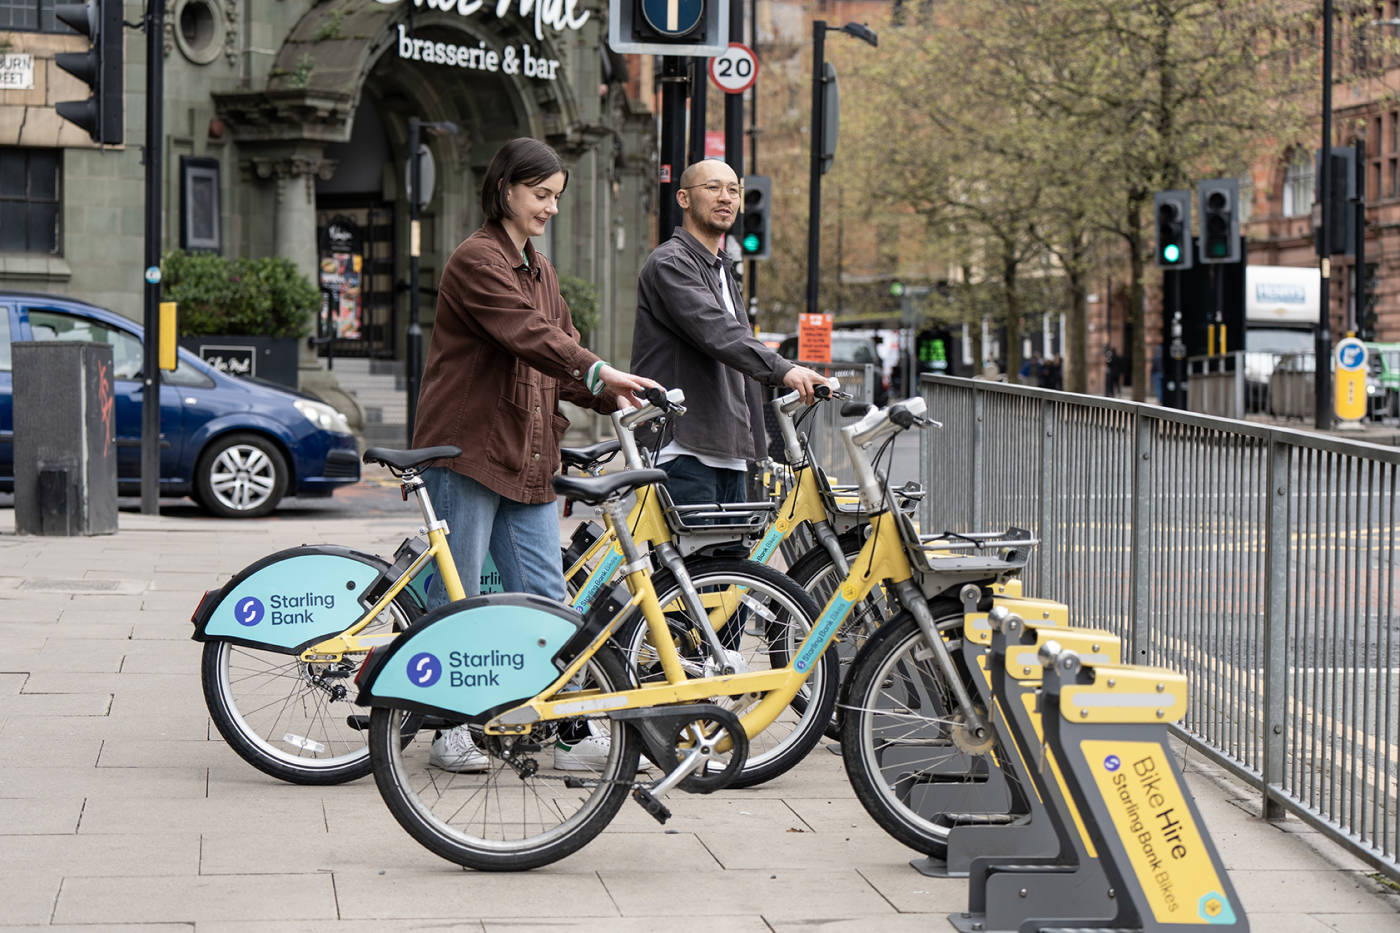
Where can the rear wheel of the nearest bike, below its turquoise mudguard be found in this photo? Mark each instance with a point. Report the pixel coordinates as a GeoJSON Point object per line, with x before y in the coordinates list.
{"type": "Point", "coordinates": [526, 806]}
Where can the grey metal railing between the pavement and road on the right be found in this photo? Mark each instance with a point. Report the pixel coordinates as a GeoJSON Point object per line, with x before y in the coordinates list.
{"type": "Point", "coordinates": [1259, 561]}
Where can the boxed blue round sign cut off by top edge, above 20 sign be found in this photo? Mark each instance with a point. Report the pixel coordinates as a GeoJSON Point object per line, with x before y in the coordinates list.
{"type": "Point", "coordinates": [668, 27]}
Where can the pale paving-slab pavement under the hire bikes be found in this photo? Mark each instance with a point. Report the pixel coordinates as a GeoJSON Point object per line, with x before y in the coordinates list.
{"type": "Point", "coordinates": [122, 809]}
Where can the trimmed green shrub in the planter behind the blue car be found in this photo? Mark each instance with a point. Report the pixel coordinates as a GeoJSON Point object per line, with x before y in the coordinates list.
{"type": "Point", "coordinates": [239, 298]}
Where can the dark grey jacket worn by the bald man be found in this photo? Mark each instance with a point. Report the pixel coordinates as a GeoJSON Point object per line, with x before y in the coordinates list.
{"type": "Point", "coordinates": [685, 338]}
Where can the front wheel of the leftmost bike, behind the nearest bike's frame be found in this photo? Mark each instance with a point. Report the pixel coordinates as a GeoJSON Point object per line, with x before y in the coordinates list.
{"type": "Point", "coordinates": [772, 617]}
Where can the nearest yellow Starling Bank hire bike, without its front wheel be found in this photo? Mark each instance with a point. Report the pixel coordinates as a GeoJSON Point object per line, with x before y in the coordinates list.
{"type": "Point", "coordinates": [517, 670]}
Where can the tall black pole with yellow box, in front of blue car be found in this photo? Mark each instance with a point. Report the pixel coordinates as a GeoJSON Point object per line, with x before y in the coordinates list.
{"type": "Point", "coordinates": [152, 375]}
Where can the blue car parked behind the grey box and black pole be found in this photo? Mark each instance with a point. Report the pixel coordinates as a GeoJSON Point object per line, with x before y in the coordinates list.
{"type": "Point", "coordinates": [233, 446]}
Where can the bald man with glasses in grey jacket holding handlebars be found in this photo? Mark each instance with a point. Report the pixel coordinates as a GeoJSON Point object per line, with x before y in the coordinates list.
{"type": "Point", "coordinates": [692, 334]}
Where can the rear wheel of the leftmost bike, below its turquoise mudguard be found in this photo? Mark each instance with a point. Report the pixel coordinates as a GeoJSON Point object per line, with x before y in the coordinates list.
{"type": "Point", "coordinates": [292, 721]}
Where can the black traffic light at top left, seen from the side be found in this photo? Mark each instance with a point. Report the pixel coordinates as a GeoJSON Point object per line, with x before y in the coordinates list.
{"type": "Point", "coordinates": [100, 68]}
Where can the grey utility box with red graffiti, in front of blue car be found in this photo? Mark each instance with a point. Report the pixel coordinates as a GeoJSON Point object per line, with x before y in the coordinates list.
{"type": "Point", "coordinates": [65, 439]}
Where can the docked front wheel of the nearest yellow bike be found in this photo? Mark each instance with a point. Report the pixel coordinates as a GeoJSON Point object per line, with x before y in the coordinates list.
{"type": "Point", "coordinates": [911, 763]}
